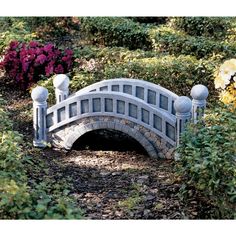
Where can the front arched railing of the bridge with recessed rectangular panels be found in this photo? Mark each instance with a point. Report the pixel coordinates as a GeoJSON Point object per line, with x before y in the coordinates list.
{"type": "Point", "coordinates": [112, 104]}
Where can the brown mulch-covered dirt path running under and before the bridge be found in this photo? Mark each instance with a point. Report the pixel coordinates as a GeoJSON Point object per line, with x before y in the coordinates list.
{"type": "Point", "coordinates": [109, 184]}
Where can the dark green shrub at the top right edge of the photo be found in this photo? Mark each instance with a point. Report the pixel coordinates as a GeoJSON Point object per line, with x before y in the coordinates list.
{"type": "Point", "coordinates": [215, 27]}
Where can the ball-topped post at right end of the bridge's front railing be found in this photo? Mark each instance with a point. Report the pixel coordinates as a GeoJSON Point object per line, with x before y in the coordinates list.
{"type": "Point", "coordinates": [183, 107]}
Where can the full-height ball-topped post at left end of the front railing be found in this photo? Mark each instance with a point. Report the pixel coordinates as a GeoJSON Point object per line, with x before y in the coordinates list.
{"type": "Point", "coordinates": [39, 96]}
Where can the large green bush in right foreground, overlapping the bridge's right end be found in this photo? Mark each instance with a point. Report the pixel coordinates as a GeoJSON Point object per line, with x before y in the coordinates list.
{"type": "Point", "coordinates": [208, 160]}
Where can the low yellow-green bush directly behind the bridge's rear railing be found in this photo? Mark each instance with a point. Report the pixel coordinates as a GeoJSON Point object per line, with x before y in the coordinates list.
{"type": "Point", "coordinates": [168, 71]}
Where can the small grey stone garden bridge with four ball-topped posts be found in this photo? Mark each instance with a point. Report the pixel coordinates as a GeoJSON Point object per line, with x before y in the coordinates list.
{"type": "Point", "coordinates": [149, 113]}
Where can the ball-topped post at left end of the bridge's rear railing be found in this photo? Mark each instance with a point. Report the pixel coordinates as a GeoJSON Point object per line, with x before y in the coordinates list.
{"type": "Point", "coordinates": [61, 84]}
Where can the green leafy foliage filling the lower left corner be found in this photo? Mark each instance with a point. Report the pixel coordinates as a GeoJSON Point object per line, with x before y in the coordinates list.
{"type": "Point", "coordinates": [18, 198]}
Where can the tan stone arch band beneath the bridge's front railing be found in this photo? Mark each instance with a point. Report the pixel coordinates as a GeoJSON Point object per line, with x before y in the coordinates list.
{"type": "Point", "coordinates": [154, 145]}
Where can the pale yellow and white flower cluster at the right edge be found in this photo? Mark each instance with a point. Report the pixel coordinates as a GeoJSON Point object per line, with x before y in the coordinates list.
{"type": "Point", "coordinates": [225, 80]}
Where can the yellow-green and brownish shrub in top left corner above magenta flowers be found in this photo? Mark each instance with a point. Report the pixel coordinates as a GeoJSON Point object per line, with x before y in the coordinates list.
{"type": "Point", "coordinates": [43, 29]}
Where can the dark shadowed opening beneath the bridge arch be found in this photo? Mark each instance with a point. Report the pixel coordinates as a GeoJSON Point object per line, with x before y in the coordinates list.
{"type": "Point", "coordinates": [108, 140]}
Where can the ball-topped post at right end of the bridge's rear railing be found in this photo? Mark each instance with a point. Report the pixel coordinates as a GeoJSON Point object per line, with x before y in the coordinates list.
{"type": "Point", "coordinates": [199, 93]}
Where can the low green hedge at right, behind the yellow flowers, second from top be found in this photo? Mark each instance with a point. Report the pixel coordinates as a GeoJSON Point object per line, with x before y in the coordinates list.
{"type": "Point", "coordinates": [175, 42]}
